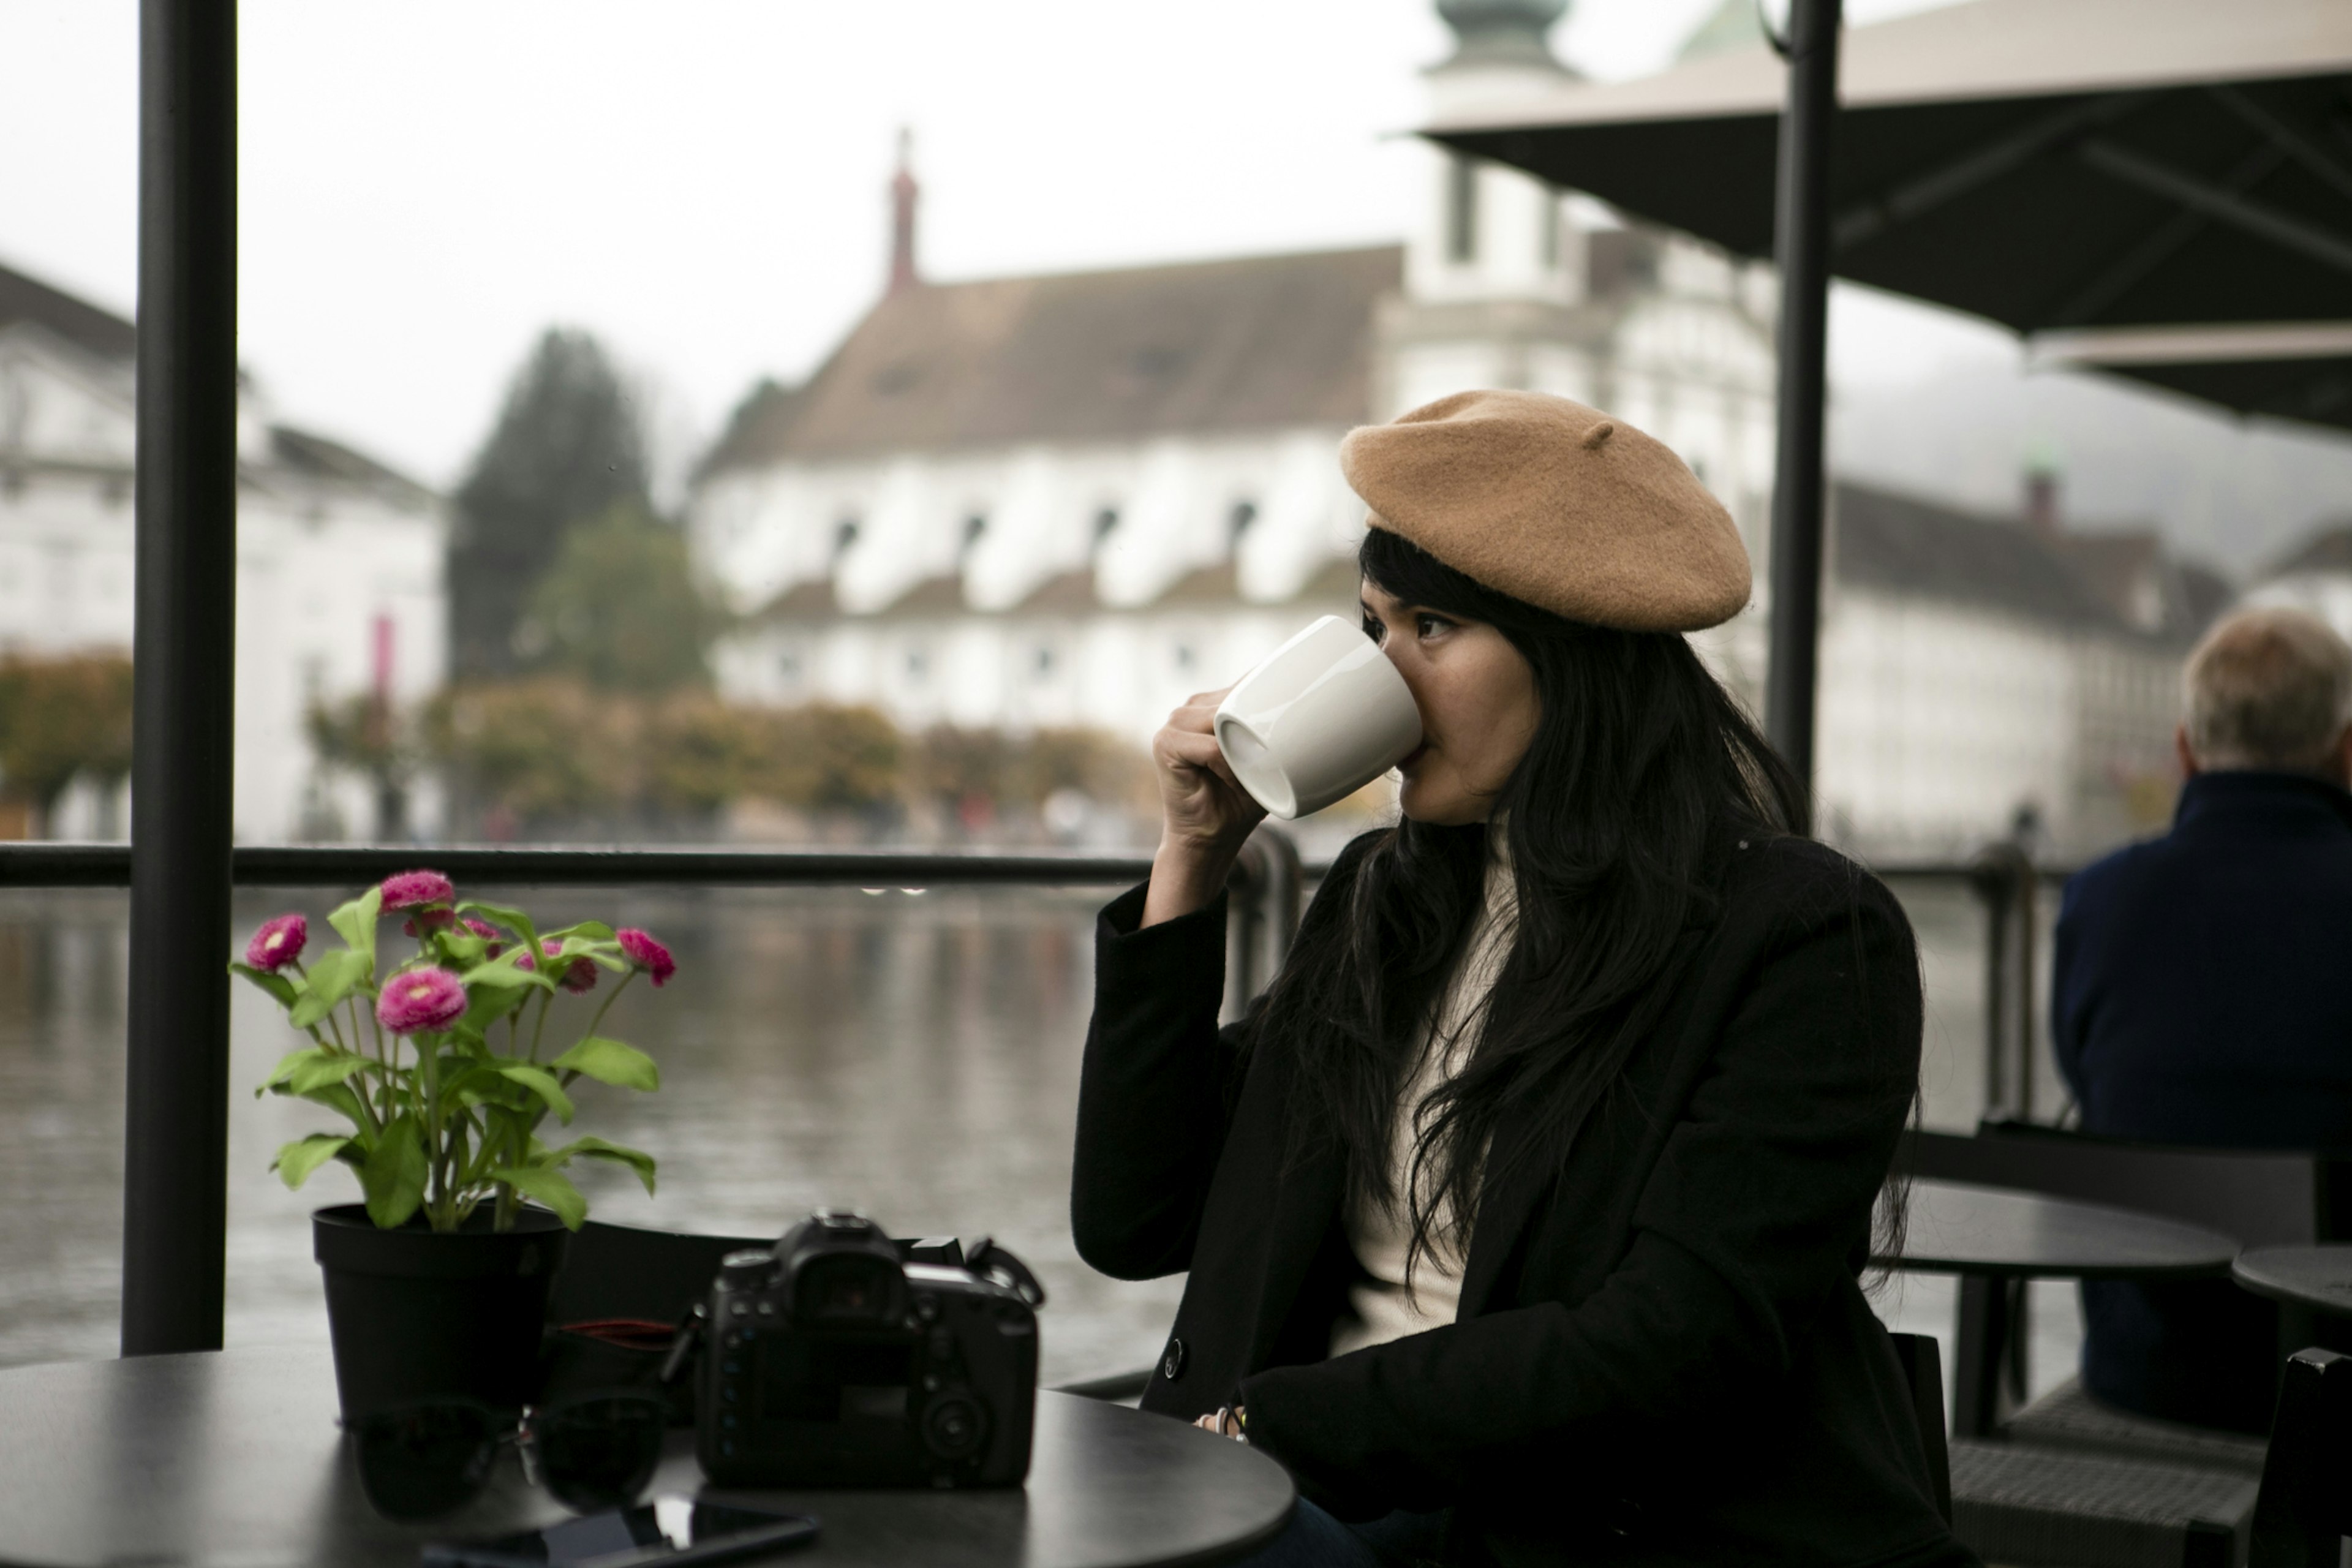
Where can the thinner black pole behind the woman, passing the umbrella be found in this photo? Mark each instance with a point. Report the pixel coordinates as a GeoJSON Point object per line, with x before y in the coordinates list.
{"type": "Point", "coordinates": [1803, 250]}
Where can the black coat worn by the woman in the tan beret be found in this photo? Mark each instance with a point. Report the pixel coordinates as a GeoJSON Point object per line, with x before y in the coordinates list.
{"type": "Point", "coordinates": [1662, 1355]}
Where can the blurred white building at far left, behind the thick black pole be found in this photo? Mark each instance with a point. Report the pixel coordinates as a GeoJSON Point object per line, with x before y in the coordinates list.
{"type": "Point", "coordinates": [340, 563]}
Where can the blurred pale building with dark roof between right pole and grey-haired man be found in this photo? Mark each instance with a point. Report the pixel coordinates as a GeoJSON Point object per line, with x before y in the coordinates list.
{"type": "Point", "coordinates": [1998, 676]}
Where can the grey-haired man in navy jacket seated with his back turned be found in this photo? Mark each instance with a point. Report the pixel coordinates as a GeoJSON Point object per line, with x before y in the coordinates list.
{"type": "Point", "coordinates": [2198, 993]}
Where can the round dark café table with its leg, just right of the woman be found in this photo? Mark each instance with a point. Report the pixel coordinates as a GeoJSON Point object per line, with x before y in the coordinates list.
{"type": "Point", "coordinates": [1998, 1235]}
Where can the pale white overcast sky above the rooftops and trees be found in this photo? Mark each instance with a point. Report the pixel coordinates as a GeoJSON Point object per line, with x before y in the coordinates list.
{"type": "Point", "coordinates": [702, 182]}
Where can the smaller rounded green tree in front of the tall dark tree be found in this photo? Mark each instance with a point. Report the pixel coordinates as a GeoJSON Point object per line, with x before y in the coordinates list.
{"type": "Point", "coordinates": [620, 608]}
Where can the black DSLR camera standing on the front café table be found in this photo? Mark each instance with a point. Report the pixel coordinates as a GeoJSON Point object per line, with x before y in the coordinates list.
{"type": "Point", "coordinates": [841, 1358]}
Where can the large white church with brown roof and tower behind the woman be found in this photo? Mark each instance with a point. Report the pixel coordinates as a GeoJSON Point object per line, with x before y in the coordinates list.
{"type": "Point", "coordinates": [1076, 500]}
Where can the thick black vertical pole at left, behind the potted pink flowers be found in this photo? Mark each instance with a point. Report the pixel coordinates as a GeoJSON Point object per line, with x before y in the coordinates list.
{"type": "Point", "coordinates": [175, 1170]}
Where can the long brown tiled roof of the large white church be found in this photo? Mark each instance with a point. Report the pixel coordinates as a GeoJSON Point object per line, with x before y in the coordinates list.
{"type": "Point", "coordinates": [1245, 344]}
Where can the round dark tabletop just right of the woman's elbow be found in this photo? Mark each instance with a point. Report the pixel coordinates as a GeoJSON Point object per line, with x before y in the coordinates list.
{"type": "Point", "coordinates": [1956, 1228]}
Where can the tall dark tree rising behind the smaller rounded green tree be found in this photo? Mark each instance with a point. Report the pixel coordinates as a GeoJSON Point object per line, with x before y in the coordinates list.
{"type": "Point", "coordinates": [568, 445]}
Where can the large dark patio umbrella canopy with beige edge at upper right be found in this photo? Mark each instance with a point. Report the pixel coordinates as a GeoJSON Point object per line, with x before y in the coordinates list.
{"type": "Point", "coordinates": [2040, 163]}
